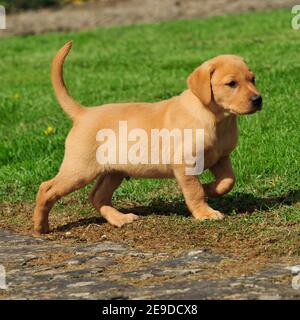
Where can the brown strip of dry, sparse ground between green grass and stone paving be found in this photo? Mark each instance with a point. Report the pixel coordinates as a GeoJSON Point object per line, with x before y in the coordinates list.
{"type": "Point", "coordinates": [272, 238]}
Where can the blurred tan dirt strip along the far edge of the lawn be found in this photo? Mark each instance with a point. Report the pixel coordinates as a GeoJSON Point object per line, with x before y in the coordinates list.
{"type": "Point", "coordinates": [125, 12]}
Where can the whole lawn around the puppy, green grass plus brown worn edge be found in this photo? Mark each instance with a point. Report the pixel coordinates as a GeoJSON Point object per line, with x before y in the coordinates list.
{"type": "Point", "coordinates": [149, 63]}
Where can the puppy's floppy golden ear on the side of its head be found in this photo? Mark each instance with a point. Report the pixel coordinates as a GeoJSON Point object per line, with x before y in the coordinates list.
{"type": "Point", "coordinates": [199, 82]}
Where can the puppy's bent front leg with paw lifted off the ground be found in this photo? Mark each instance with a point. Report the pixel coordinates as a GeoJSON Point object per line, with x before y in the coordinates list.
{"type": "Point", "coordinates": [225, 179]}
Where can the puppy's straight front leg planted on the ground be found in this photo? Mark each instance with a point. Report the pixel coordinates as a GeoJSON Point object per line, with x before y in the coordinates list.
{"type": "Point", "coordinates": [195, 197]}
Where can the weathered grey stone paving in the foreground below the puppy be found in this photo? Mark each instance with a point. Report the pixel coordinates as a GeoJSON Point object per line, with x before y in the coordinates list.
{"type": "Point", "coordinates": [81, 271]}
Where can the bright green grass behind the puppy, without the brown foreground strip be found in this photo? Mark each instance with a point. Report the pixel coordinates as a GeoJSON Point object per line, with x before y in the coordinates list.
{"type": "Point", "coordinates": [150, 63]}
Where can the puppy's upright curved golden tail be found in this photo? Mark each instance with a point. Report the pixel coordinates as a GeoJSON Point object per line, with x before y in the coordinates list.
{"type": "Point", "coordinates": [69, 105]}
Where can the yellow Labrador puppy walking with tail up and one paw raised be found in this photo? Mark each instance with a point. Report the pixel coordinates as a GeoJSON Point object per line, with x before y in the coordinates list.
{"type": "Point", "coordinates": [218, 91]}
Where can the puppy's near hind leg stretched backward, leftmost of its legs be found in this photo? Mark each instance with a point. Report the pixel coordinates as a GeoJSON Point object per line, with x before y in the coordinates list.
{"type": "Point", "coordinates": [66, 181]}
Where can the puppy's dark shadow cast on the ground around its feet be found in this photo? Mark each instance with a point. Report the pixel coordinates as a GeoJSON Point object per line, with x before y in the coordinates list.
{"type": "Point", "coordinates": [239, 203]}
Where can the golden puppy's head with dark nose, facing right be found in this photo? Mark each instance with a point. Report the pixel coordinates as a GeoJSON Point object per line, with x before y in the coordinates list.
{"type": "Point", "coordinates": [227, 83]}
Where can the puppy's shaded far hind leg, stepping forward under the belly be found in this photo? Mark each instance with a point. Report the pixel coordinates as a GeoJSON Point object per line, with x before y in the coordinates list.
{"type": "Point", "coordinates": [101, 197]}
